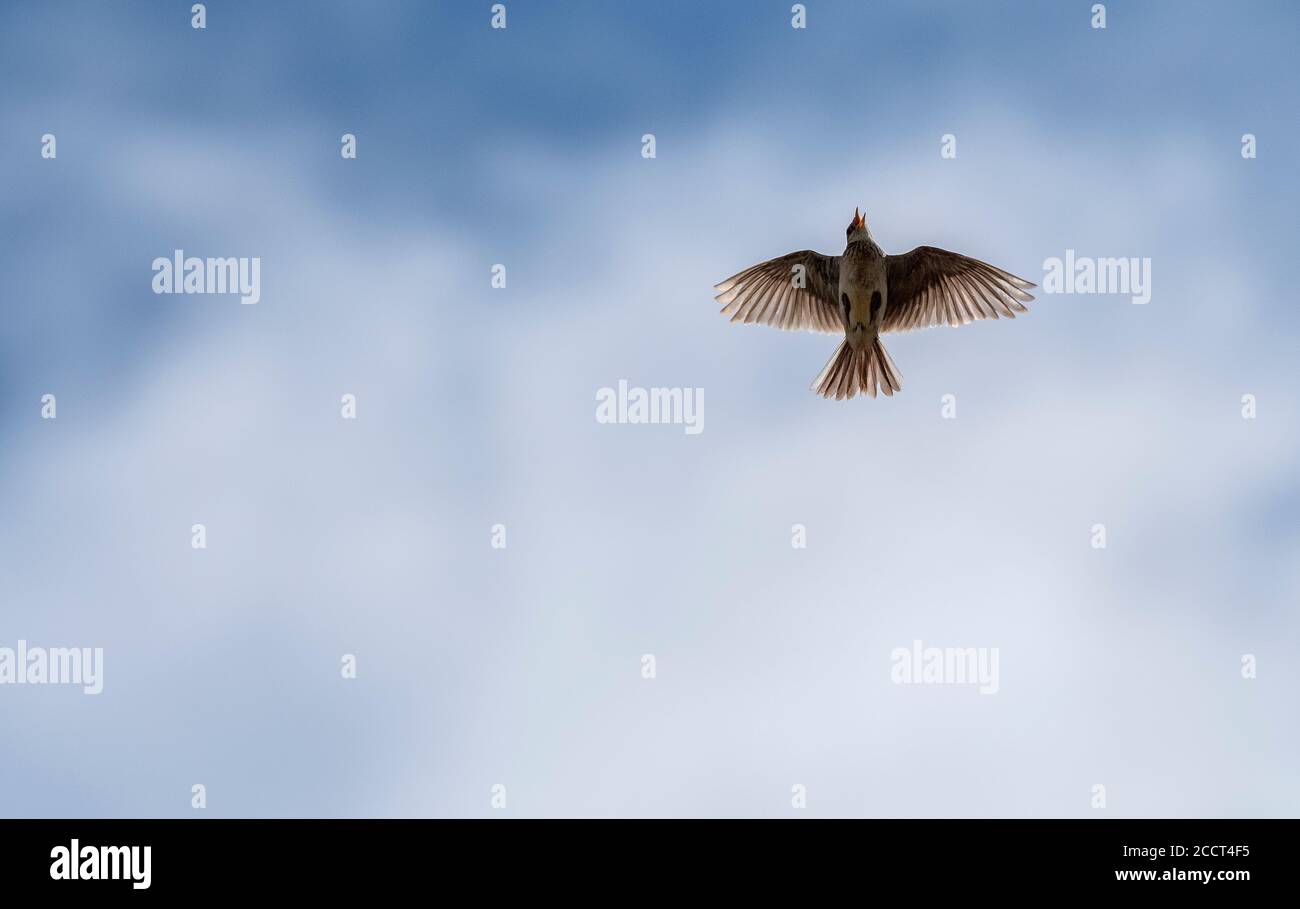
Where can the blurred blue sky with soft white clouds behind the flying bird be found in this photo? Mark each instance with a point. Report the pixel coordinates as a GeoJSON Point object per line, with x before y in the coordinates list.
{"type": "Point", "coordinates": [513, 682]}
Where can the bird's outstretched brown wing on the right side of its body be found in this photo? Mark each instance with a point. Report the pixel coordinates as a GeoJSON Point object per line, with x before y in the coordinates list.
{"type": "Point", "coordinates": [930, 287]}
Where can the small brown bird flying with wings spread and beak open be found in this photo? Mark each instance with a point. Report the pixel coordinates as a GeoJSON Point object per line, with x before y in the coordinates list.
{"type": "Point", "coordinates": [865, 293]}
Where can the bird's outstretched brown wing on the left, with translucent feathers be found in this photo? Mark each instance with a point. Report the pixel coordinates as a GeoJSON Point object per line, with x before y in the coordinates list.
{"type": "Point", "coordinates": [791, 293]}
